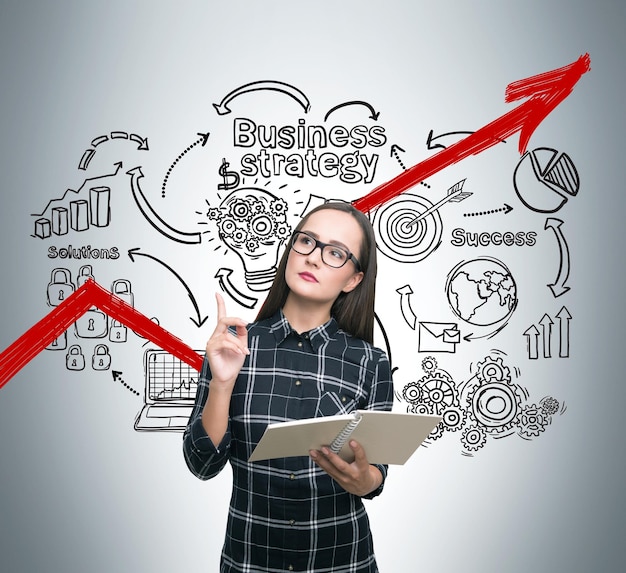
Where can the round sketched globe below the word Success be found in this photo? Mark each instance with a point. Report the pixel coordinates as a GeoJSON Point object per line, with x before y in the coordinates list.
{"type": "Point", "coordinates": [482, 291]}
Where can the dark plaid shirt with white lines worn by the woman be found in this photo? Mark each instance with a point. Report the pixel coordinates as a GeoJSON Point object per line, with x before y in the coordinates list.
{"type": "Point", "coordinates": [287, 514]}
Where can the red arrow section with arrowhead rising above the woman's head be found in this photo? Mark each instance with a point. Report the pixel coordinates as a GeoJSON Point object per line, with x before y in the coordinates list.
{"type": "Point", "coordinates": [546, 91]}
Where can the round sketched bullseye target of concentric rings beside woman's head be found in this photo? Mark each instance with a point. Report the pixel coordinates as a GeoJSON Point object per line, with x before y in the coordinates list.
{"type": "Point", "coordinates": [398, 238]}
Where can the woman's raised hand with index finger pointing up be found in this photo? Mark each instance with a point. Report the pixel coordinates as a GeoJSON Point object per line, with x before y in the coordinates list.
{"type": "Point", "coordinates": [225, 352]}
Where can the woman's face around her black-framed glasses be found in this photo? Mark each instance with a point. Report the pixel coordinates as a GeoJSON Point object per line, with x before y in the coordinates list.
{"type": "Point", "coordinates": [307, 276]}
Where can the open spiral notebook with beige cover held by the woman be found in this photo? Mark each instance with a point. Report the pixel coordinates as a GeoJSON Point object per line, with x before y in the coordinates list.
{"type": "Point", "coordinates": [387, 437]}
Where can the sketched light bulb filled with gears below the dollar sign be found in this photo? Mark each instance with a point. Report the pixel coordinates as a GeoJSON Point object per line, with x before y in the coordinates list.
{"type": "Point", "coordinates": [252, 223]}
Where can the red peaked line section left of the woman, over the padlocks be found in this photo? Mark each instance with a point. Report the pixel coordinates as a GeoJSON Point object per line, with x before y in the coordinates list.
{"type": "Point", "coordinates": [57, 321]}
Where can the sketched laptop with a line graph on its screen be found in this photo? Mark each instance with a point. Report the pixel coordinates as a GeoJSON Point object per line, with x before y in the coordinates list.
{"type": "Point", "coordinates": [170, 392]}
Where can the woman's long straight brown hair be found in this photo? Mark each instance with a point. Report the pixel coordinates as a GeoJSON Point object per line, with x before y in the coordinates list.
{"type": "Point", "coordinates": [354, 311]}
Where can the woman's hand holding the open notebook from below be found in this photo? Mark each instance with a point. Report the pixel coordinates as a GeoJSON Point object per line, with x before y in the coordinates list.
{"type": "Point", "coordinates": [358, 477]}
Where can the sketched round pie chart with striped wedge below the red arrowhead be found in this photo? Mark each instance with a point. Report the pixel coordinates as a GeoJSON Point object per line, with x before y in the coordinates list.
{"type": "Point", "coordinates": [545, 179]}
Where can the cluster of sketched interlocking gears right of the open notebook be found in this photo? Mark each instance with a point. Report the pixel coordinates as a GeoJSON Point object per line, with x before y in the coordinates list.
{"type": "Point", "coordinates": [488, 404]}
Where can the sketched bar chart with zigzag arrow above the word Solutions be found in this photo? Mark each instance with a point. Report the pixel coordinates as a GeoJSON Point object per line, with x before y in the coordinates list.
{"type": "Point", "coordinates": [78, 210]}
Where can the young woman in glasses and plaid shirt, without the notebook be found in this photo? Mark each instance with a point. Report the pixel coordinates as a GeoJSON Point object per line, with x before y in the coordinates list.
{"type": "Point", "coordinates": [309, 353]}
